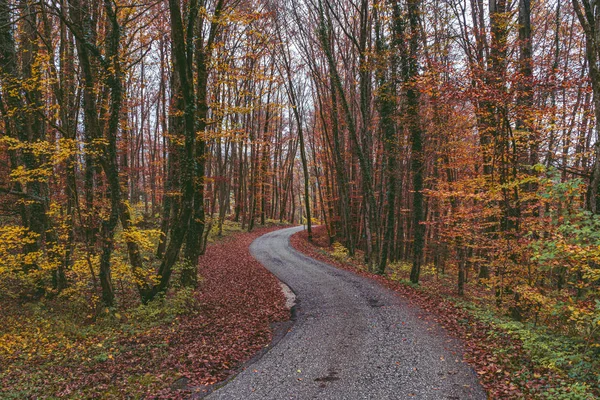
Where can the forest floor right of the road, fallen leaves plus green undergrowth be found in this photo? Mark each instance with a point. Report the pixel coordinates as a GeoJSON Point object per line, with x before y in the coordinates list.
{"type": "Point", "coordinates": [513, 360]}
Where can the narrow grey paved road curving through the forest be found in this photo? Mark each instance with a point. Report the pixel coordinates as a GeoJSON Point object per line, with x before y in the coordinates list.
{"type": "Point", "coordinates": [353, 339]}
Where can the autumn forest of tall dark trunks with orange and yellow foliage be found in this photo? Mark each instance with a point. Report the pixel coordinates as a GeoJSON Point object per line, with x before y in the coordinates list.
{"type": "Point", "coordinates": [453, 141]}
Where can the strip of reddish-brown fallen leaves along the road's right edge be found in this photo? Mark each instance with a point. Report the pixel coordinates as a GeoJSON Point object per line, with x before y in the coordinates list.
{"type": "Point", "coordinates": [497, 357]}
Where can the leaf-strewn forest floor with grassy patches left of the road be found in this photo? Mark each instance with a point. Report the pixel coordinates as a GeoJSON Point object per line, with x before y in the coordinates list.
{"type": "Point", "coordinates": [188, 340]}
